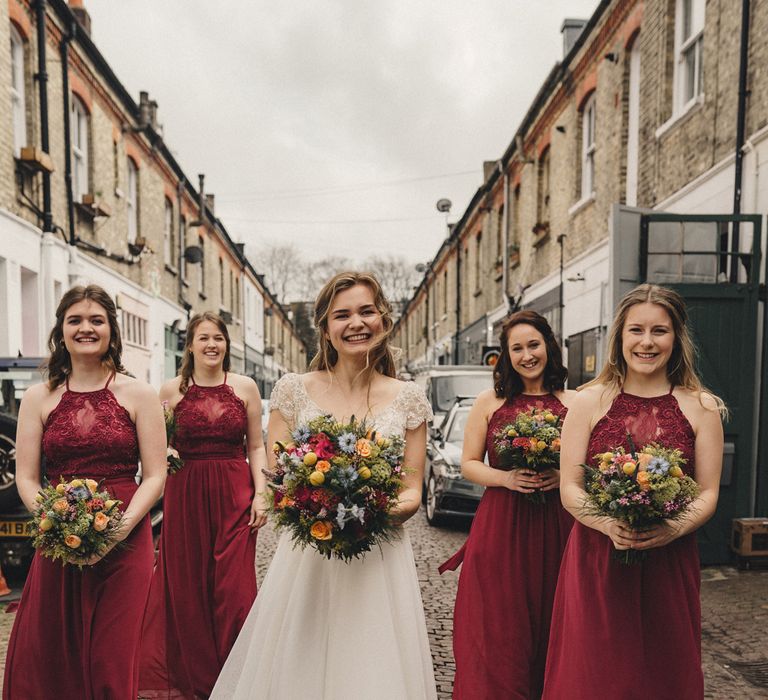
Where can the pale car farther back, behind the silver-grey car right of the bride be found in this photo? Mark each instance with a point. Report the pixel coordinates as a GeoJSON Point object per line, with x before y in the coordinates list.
{"type": "Point", "coordinates": [443, 384]}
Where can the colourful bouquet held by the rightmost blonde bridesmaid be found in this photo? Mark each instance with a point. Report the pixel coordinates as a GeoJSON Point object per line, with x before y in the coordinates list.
{"type": "Point", "coordinates": [643, 488]}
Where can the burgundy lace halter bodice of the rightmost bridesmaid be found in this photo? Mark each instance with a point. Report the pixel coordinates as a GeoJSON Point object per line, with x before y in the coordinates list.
{"type": "Point", "coordinates": [655, 419]}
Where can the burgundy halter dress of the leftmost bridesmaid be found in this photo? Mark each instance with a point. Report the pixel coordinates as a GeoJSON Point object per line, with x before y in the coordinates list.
{"type": "Point", "coordinates": [76, 634]}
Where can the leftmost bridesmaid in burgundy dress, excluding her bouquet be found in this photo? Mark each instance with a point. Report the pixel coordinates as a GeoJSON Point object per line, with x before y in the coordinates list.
{"type": "Point", "coordinates": [76, 633]}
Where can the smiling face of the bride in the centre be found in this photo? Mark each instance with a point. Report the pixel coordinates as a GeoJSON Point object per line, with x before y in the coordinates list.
{"type": "Point", "coordinates": [354, 322]}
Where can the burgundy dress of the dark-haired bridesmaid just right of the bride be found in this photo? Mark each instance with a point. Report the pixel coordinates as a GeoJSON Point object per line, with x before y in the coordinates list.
{"type": "Point", "coordinates": [507, 583]}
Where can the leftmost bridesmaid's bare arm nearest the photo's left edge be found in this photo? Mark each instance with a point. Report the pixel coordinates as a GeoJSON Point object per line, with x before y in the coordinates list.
{"type": "Point", "coordinates": [29, 436]}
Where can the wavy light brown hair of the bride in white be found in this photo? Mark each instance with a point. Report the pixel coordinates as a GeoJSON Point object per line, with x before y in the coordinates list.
{"type": "Point", "coordinates": [380, 356]}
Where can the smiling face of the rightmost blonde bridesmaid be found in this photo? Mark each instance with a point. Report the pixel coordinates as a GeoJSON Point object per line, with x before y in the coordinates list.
{"type": "Point", "coordinates": [647, 339]}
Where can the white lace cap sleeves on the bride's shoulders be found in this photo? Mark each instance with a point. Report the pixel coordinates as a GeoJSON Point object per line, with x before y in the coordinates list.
{"type": "Point", "coordinates": [408, 410]}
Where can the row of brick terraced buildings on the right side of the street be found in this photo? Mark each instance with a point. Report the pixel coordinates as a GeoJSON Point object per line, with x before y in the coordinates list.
{"type": "Point", "coordinates": [641, 113]}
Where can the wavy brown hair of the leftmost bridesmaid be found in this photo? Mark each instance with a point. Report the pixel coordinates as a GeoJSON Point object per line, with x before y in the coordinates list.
{"type": "Point", "coordinates": [58, 366]}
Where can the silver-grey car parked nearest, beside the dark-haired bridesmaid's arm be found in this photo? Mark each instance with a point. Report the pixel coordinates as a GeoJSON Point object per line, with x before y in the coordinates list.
{"type": "Point", "coordinates": [446, 492]}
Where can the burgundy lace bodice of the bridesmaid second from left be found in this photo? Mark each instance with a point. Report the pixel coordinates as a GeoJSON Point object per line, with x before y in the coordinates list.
{"type": "Point", "coordinates": [211, 423]}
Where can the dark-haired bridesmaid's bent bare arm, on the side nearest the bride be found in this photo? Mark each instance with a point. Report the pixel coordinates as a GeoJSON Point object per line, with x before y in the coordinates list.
{"type": "Point", "coordinates": [472, 466]}
